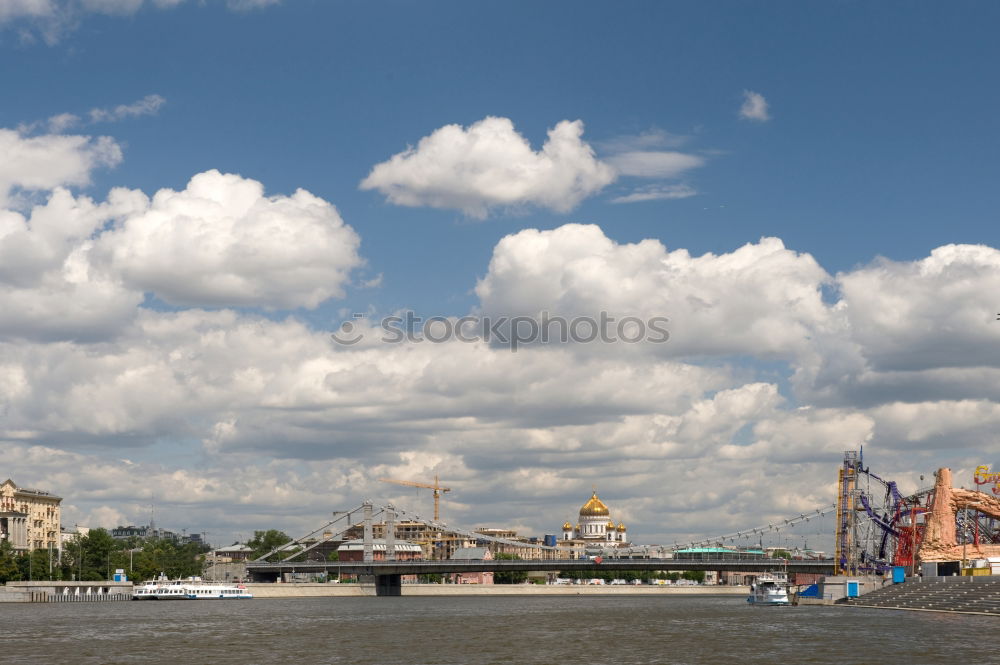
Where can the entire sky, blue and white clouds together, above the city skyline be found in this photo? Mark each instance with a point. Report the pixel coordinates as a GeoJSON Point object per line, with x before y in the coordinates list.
{"type": "Point", "coordinates": [195, 195]}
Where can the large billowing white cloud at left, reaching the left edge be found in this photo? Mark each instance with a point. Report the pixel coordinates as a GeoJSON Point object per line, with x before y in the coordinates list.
{"type": "Point", "coordinates": [76, 269]}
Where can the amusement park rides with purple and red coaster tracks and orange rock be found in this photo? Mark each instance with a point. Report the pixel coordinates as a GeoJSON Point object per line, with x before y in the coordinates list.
{"type": "Point", "coordinates": [878, 527]}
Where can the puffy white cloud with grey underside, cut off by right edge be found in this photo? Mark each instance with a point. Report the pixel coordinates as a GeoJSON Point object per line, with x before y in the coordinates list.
{"type": "Point", "coordinates": [914, 331]}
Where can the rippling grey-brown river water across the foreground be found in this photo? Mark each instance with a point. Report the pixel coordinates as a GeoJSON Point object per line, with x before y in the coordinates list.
{"type": "Point", "coordinates": [628, 630]}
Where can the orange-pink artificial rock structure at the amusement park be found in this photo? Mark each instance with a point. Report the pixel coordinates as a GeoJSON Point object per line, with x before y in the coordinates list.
{"type": "Point", "coordinates": [940, 542]}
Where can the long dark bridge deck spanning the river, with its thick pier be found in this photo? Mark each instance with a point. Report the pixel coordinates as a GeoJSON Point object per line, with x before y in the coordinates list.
{"type": "Point", "coordinates": [388, 574]}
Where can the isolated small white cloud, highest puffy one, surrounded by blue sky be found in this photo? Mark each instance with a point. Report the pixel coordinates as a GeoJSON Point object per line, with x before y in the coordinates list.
{"type": "Point", "coordinates": [490, 165]}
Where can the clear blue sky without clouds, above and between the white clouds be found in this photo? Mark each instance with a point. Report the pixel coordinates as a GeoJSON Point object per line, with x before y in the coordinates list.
{"type": "Point", "coordinates": [883, 128]}
